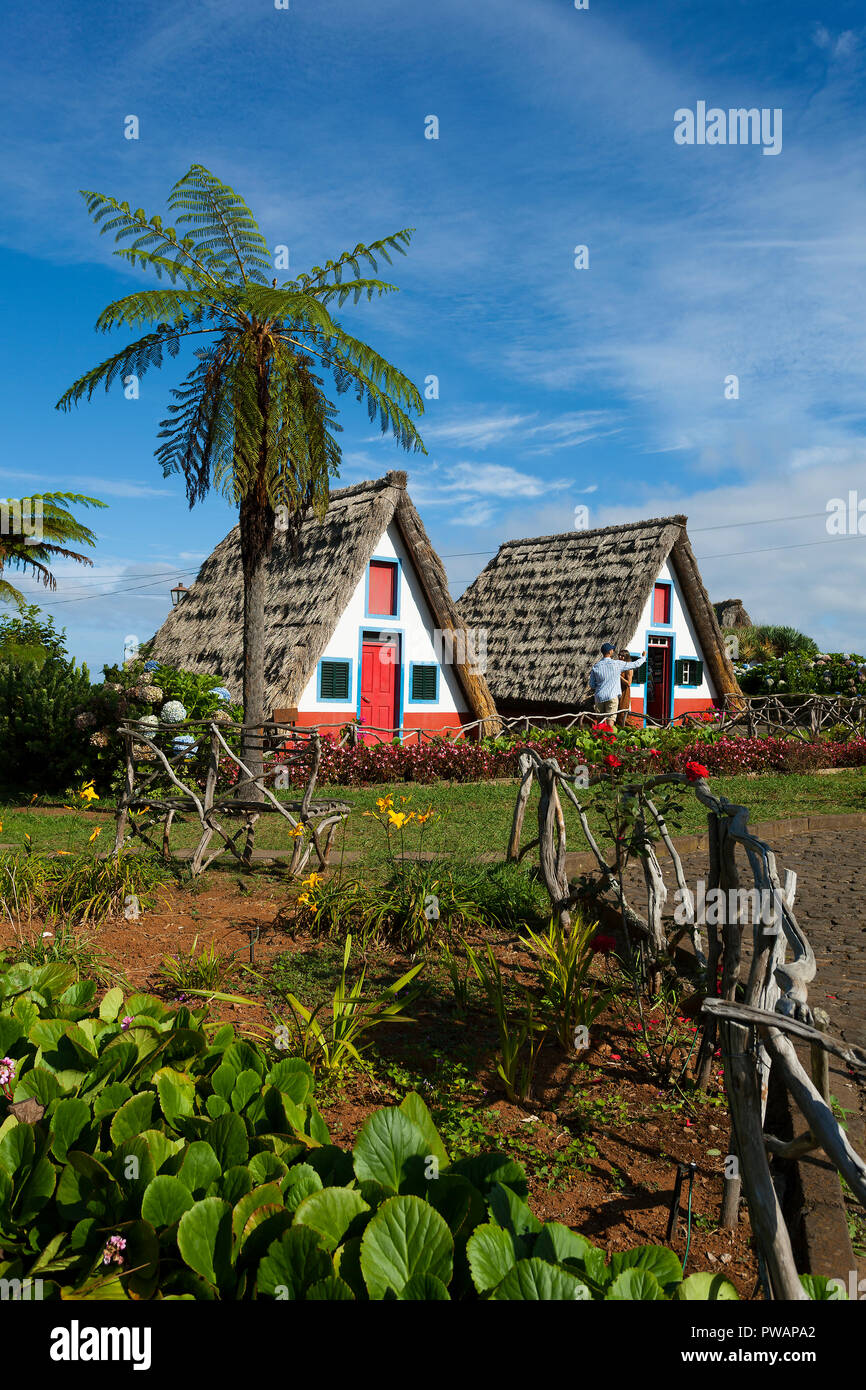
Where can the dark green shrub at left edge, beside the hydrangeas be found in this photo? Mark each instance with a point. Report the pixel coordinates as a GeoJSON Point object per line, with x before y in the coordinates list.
{"type": "Point", "coordinates": [41, 692]}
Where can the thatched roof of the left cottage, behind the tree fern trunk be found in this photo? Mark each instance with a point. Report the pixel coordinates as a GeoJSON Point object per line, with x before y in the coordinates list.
{"type": "Point", "coordinates": [307, 596]}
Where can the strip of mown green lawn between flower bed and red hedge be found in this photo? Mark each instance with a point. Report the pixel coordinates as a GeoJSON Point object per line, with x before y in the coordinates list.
{"type": "Point", "coordinates": [475, 818]}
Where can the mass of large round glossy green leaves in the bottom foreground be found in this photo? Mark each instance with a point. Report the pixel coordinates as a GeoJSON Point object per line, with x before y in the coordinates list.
{"type": "Point", "coordinates": [149, 1154]}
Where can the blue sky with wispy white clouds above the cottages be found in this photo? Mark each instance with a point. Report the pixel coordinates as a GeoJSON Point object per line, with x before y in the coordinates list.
{"type": "Point", "coordinates": [558, 387]}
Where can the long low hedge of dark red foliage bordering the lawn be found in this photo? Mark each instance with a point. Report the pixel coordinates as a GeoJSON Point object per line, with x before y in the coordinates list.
{"type": "Point", "coordinates": [448, 761]}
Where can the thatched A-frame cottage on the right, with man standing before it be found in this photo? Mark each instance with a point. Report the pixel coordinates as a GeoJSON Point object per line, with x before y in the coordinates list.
{"type": "Point", "coordinates": [548, 604]}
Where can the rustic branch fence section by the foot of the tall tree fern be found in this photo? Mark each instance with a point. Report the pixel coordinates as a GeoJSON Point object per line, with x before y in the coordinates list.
{"type": "Point", "coordinates": [212, 785]}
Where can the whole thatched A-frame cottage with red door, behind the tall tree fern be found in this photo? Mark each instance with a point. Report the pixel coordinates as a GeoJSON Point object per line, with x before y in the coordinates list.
{"type": "Point", "coordinates": [361, 622]}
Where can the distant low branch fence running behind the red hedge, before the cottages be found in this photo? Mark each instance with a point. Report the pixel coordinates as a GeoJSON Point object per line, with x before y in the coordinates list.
{"type": "Point", "coordinates": [786, 717]}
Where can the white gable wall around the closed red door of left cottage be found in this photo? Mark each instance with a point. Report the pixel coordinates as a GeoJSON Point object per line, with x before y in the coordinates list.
{"type": "Point", "coordinates": [416, 625]}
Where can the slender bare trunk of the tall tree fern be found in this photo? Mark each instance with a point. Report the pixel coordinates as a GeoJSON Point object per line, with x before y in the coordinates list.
{"type": "Point", "coordinates": [256, 539]}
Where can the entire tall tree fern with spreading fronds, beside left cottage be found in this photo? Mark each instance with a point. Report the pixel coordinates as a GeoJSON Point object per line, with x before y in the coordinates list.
{"type": "Point", "coordinates": [252, 418]}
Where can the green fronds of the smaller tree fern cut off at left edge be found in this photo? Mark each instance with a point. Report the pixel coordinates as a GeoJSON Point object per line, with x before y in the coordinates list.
{"type": "Point", "coordinates": [23, 550]}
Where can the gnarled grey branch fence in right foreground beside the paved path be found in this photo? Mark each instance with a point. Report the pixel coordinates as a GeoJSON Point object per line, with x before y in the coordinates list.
{"type": "Point", "coordinates": [753, 1014]}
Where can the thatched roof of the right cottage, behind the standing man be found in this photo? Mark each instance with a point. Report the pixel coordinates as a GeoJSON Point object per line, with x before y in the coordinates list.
{"type": "Point", "coordinates": [548, 604]}
